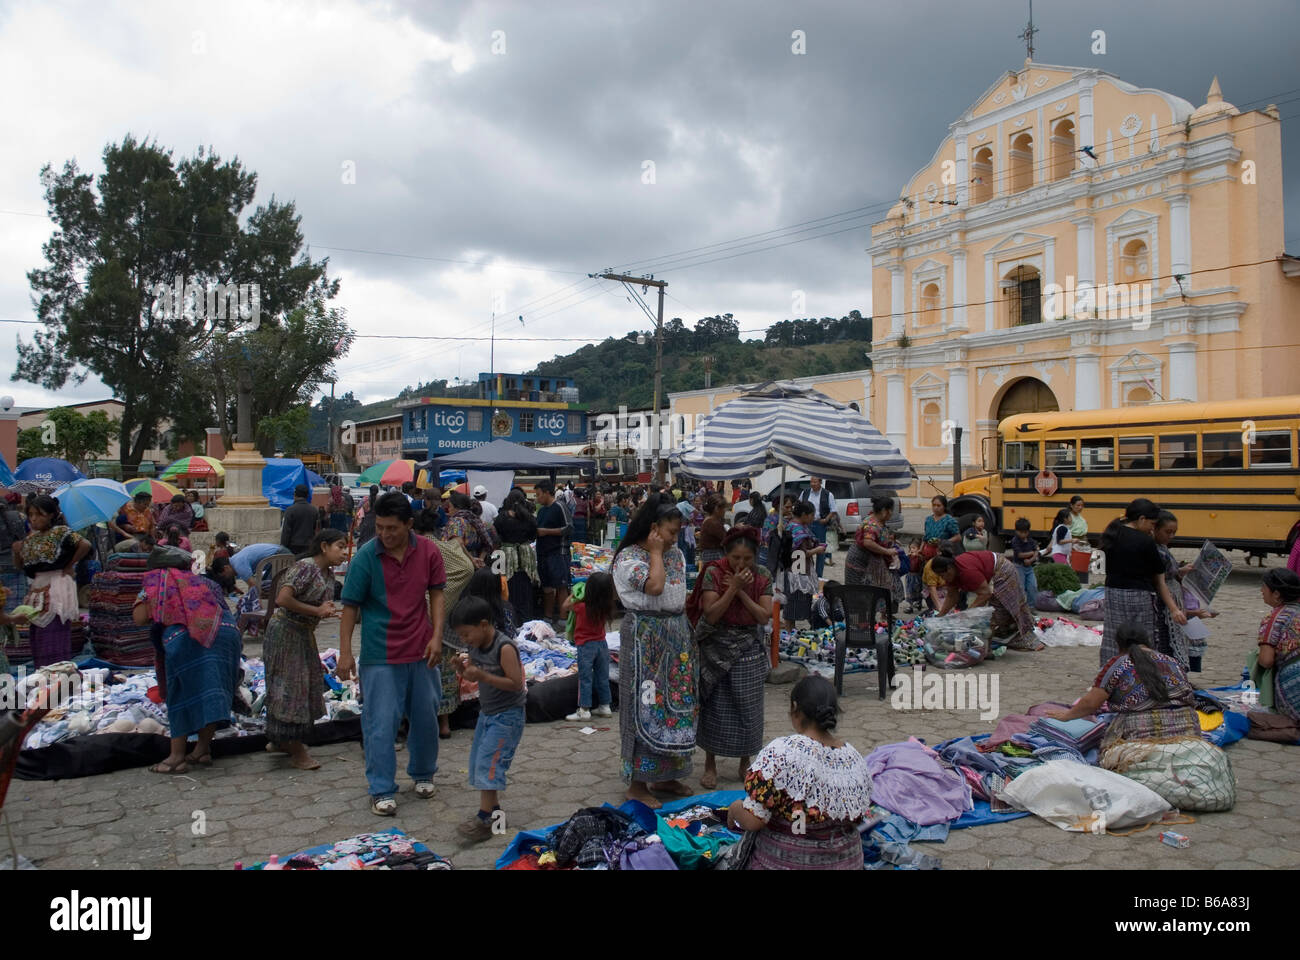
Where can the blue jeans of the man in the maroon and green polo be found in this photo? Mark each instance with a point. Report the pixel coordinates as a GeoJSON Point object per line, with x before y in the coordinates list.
{"type": "Point", "coordinates": [393, 691]}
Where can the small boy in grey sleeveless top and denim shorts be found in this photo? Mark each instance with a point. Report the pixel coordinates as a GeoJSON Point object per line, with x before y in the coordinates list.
{"type": "Point", "coordinates": [493, 663]}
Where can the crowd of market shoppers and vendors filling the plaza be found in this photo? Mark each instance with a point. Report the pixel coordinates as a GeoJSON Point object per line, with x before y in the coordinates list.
{"type": "Point", "coordinates": [435, 609]}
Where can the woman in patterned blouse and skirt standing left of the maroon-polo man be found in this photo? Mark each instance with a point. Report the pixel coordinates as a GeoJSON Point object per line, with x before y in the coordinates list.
{"type": "Point", "coordinates": [294, 695]}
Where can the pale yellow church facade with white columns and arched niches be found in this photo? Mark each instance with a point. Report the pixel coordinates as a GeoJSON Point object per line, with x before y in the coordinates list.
{"type": "Point", "coordinates": [1077, 243]}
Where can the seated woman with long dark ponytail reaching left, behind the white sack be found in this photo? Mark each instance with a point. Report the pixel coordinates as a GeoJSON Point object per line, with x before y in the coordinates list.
{"type": "Point", "coordinates": [1147, 693]}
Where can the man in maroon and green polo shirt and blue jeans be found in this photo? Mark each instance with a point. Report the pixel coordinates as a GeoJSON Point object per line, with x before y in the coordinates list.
{"type": "Point", "coordinates": [396, 585]}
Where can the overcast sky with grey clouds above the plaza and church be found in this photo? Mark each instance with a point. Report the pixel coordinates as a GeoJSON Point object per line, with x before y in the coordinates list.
{"type": "Point", "coordinates": [500, 150]}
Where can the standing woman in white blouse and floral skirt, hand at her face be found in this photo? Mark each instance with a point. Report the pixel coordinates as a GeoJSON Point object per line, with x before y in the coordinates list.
{"type": "Point", "coordinates": [658, 672]}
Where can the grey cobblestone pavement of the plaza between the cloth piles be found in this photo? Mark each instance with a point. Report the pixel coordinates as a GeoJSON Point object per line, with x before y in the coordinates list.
{"type": "Point", "coordinates": [255, 805]}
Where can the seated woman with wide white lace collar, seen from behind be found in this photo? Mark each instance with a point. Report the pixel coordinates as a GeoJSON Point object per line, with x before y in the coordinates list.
{"type": "Point", "coordinates": [805, 794]}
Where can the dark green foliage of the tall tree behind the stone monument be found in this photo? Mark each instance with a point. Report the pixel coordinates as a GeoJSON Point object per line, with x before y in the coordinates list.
{"type": "Point", "coordinates": [150, 220]}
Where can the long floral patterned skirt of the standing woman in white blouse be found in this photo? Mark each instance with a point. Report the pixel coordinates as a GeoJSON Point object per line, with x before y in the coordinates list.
{"type": "Point", "coordinates": [658, 704]}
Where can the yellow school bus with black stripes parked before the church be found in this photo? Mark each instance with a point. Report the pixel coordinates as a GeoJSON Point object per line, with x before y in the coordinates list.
{"type": "Point", "coordinates": [1228, 470]}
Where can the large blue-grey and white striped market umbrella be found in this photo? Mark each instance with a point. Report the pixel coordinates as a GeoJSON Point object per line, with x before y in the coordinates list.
{"type": "Point", "coordinates": [783, 423]}
